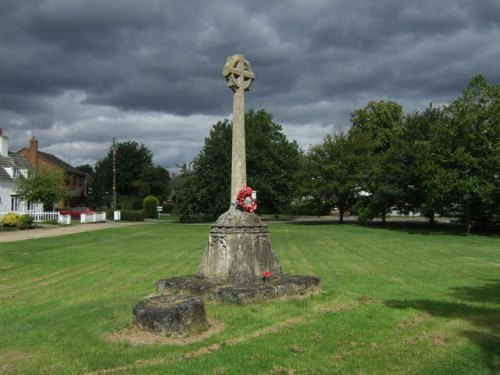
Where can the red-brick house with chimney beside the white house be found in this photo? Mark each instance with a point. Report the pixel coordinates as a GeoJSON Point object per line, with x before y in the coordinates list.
{"type": "Point", "coordinates": [77, 182]}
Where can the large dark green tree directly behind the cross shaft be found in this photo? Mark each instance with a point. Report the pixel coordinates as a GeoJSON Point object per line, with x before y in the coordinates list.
{"type": "Point", "coordinates": [272, 162]}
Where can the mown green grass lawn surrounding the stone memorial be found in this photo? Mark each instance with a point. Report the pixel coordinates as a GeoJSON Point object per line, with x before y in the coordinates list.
{"type": "Point", "coordinates": [396, 300]}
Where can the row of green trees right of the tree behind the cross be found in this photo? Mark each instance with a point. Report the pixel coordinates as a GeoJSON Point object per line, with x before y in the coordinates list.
{"type": "Point", "coordinates": [440, 161]}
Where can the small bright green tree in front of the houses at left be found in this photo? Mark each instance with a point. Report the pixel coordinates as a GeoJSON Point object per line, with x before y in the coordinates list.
{"type": "Point", "coordinates": [46, 187]}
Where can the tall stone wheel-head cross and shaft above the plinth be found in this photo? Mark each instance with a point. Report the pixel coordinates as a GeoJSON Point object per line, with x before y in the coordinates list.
{"type": "Point", "coordinates": [239, 77]}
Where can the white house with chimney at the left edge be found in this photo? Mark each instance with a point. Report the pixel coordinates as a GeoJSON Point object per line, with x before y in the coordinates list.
{"type": "Point", "coordinates": [13, 166]}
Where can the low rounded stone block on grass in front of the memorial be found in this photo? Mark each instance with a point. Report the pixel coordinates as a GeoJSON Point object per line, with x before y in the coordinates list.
{"type": "Point", "coordinates": [171, 315]}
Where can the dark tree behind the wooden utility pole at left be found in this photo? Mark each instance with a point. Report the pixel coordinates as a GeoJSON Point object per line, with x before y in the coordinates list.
{"type": "Point", "coordinates": [131, 159]}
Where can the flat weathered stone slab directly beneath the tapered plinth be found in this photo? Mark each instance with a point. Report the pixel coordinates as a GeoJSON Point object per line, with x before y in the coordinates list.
{"type": "Point", "coordinates": [286, 285]}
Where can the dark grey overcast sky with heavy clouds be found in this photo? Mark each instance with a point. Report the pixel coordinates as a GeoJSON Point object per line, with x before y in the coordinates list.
{"type": "Point", "coordinates": [78, 73]}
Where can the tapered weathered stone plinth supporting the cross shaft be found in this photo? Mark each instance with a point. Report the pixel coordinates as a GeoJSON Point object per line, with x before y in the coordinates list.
{"type": "Point", "coordinates": [239, 250]}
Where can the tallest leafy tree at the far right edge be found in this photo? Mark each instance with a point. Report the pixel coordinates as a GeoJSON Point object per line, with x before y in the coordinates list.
{"type": "Point", "coordinates": [465, 156]}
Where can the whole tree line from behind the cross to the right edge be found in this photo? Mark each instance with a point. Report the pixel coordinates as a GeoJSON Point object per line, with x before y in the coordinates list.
{"type": "Point", "coordinates": [439, 161]}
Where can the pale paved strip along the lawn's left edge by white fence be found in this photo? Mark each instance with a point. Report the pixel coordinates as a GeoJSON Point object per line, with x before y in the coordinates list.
{"type": "Point", "coordinates": [47, 230]}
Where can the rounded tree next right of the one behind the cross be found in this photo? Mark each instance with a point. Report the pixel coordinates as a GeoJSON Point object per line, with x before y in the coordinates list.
{"type": "Point", "coordinates": [337, 168]}
